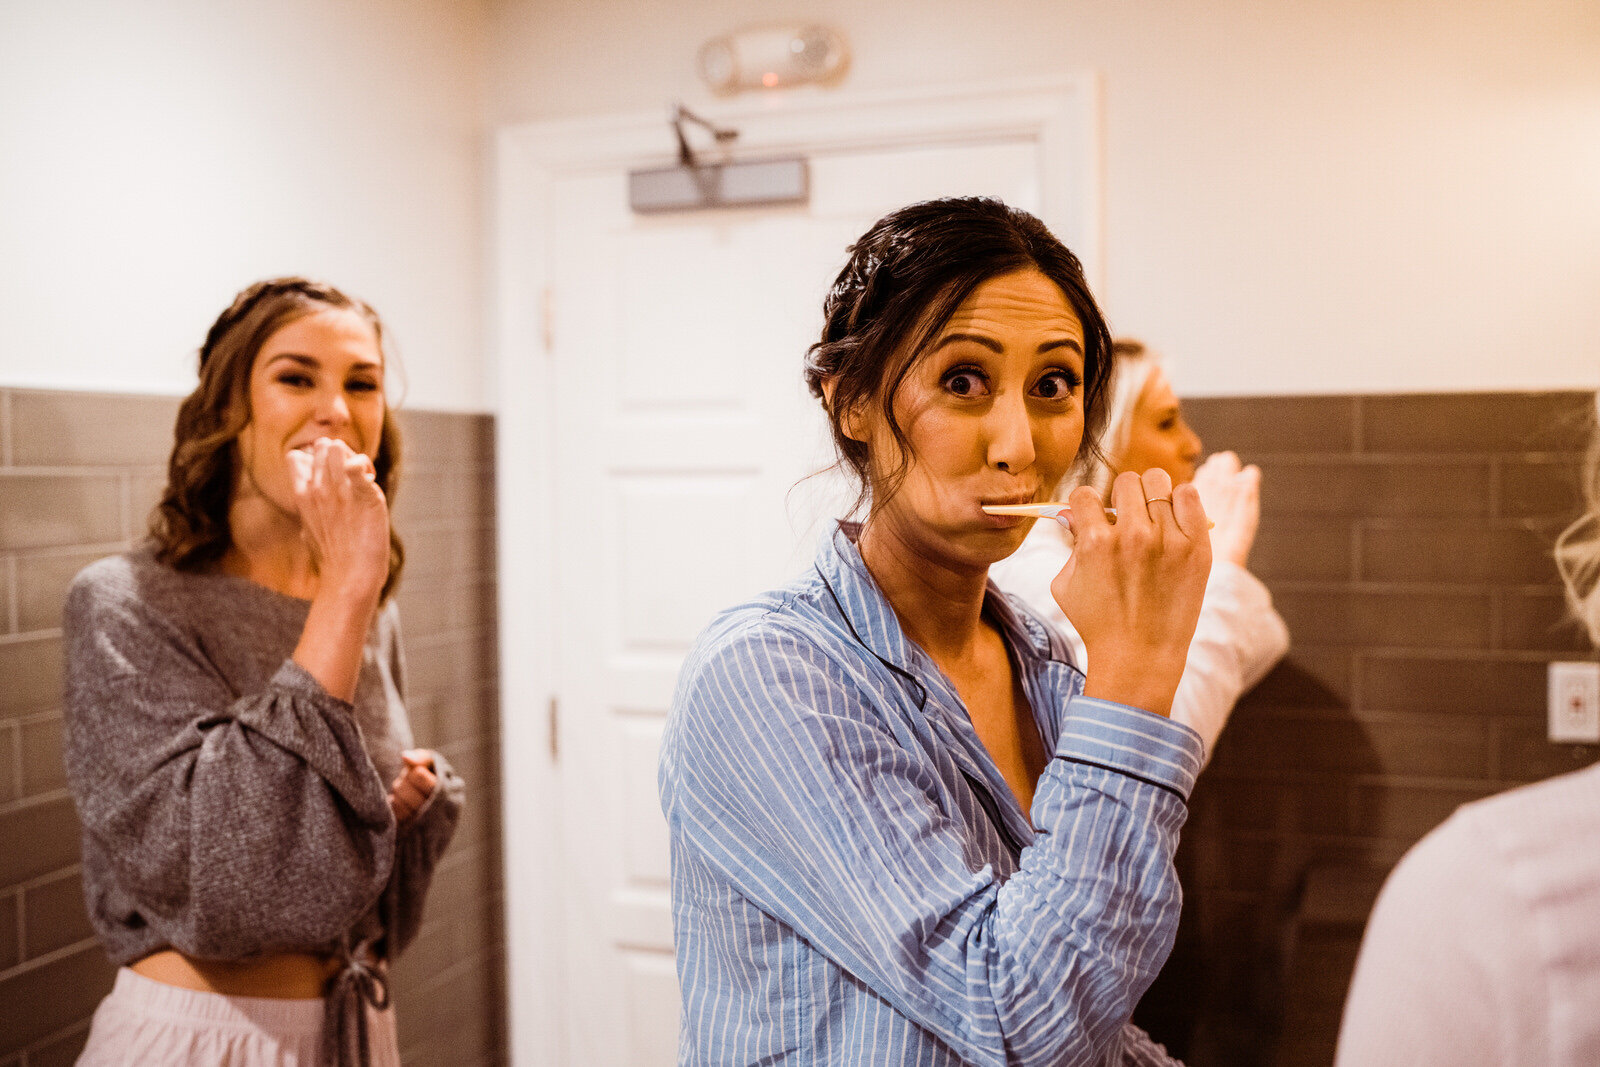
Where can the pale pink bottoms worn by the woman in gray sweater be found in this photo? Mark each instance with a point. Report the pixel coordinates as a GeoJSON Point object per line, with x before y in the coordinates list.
{"type": "Point", "coordinates": [145, 1023]}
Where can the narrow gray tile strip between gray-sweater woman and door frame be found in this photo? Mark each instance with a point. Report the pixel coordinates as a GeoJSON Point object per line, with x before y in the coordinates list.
{"type": "Point", "coordinates": [450, 988]}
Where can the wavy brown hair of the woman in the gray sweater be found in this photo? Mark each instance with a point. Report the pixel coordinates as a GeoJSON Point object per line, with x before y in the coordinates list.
{"type": "Point", "coordinates": [190, 526]}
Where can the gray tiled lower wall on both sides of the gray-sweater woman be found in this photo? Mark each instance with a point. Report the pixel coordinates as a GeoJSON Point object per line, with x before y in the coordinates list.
{"type": "Point", "coordinates": [79, 474]}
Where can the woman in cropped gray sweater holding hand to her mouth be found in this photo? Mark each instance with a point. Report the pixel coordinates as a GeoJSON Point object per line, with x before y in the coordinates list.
{"type": "Point", "coordinates": [258, 833]}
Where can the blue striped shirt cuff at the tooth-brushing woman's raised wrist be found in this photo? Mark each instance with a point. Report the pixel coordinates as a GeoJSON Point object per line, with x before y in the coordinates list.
{"type": "Point", "coordinates": [1134, 743]}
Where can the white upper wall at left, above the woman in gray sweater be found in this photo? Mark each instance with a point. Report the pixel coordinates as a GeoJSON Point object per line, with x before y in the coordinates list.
{"type": "Point", "coordinates": [156, 158]}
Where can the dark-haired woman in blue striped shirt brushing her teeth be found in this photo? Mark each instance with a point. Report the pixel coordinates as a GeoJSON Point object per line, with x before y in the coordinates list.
{"type": "Point", "coordinates": [905, 826]}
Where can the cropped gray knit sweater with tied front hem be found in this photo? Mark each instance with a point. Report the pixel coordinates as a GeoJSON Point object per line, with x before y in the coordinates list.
{"type": "Point", "coordinates": [231, 807]}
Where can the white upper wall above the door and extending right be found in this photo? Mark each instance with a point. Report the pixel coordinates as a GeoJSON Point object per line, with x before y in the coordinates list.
{"type": "Point", "coordinates": [1326, 196]}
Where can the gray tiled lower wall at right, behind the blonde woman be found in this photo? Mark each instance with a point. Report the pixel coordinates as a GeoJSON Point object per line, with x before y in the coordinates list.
{"type": "Point", "coordinates": [1407, 541]}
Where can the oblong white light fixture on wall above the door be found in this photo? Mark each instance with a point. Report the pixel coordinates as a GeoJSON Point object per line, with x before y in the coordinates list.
{"type": "Point", "coordinates": [774, 58]}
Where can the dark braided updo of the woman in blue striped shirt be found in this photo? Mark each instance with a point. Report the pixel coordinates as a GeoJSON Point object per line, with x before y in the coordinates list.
{"type": "Point", "coordinates": [905, 279]}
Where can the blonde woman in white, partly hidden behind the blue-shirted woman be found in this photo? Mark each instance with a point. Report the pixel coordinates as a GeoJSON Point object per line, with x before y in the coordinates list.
{"type": "Point", "coordinates": [1241, 636]}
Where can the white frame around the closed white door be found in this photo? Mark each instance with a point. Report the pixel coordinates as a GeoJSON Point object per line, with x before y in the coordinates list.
{"type": "Point", "coordinates": [1063, 114]}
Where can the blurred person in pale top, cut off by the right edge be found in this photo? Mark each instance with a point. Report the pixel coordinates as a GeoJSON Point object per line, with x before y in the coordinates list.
{"type": "Point", "coordinates": [1484, 948]}
